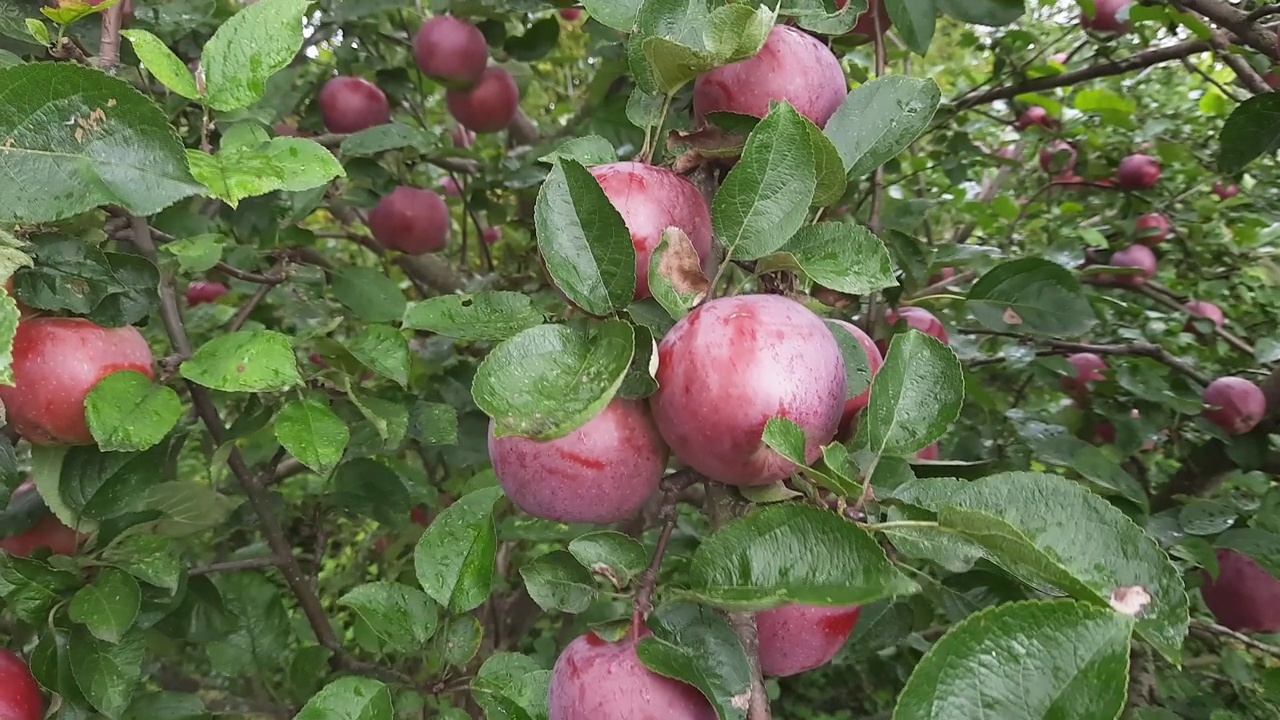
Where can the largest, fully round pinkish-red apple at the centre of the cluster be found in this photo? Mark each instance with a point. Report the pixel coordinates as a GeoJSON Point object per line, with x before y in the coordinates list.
{"type": "Point", "coordinates": [734, 363]}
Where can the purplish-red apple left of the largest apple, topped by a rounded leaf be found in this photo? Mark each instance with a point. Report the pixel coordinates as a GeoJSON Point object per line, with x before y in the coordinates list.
{"type": "Point", "coordinates": [602, 472]}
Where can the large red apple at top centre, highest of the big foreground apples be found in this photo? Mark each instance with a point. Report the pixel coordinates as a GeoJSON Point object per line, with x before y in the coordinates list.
{"type": "Point", "coordinates": [793, 66]}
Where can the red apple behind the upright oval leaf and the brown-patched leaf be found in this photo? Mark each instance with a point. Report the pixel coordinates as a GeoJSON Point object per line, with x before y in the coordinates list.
{"type": "Point", "coordinates": [652, 199]}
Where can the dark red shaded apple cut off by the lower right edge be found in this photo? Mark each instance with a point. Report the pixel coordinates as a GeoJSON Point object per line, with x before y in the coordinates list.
{"type": "Point", "coordinates": [1244, 598]}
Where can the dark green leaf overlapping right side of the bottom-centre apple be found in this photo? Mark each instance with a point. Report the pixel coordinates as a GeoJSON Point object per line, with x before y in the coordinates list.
{"type": "Point", "coordinates": [696, 645]}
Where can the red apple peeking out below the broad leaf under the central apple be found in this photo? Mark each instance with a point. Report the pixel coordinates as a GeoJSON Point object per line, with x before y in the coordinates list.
{"type": "Point", "coordinates": [796, 639]}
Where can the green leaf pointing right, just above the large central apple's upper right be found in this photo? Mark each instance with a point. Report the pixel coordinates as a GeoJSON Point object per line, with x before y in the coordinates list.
{"type": "Point", "coordinates": [843, 257]}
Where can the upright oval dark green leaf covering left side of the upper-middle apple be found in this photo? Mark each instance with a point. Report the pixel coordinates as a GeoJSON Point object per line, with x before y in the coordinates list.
{"type": "Point", "coordinates": [584, 241]}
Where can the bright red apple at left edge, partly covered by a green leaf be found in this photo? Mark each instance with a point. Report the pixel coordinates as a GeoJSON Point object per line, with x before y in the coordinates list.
{"type": "Point", "coordinates": [57, 362]}
